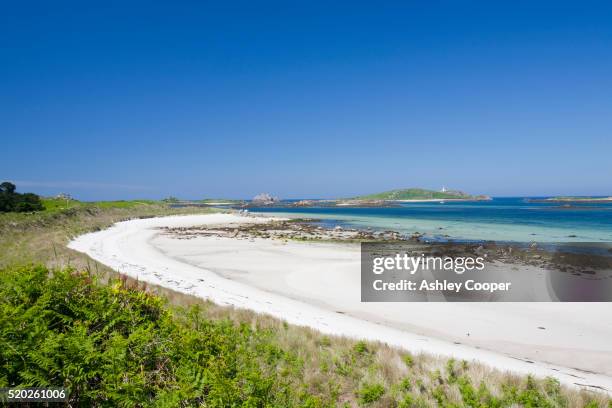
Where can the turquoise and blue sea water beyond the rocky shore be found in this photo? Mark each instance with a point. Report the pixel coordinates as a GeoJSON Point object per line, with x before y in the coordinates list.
{"type": "Point", "coordinates": [502, 219]}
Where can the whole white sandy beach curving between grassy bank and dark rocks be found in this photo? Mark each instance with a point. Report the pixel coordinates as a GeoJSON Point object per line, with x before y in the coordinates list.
{"type": "Point", "coordinates": [318, 285]}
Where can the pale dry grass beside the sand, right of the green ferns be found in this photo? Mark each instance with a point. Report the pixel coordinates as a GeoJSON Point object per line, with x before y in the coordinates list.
{"type": "Point", "coordinates": [345, 367]}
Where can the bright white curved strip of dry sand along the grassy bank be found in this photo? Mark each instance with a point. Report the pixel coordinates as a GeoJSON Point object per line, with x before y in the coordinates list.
{"type": "Point", "coordinates": [127, 247]}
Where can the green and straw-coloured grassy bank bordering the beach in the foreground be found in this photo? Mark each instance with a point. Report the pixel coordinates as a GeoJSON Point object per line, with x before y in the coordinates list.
{"type": "Point", "coordinates": [127, 344]}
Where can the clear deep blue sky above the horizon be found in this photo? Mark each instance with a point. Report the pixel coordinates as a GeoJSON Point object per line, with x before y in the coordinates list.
{"type": "Point", "coordinates": [305, 99]}
